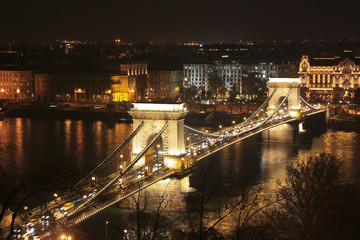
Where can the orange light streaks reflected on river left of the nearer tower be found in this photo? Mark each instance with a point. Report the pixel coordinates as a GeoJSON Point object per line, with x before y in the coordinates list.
{"type": "Point", "coordinates": [25, 143]}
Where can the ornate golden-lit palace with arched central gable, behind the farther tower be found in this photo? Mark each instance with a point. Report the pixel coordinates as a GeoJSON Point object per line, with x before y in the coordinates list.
{"type": "Point", "coordinates": [330, 79]}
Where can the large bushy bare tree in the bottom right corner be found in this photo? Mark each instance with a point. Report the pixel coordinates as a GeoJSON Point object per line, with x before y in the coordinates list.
{"type": "Point", "coordinates": [316, 202]}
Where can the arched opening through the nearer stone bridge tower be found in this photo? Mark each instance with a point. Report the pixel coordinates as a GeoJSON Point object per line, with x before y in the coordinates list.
{"type": "Point", "coordinates": [154, 157]}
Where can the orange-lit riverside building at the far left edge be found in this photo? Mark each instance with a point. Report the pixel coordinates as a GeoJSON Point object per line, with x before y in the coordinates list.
{"type": "Point", "coordinates": [16, 85]}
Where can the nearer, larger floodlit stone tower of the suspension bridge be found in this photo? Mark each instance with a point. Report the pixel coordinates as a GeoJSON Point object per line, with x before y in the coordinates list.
{"type": "Point", "coordinates": [169, 149]}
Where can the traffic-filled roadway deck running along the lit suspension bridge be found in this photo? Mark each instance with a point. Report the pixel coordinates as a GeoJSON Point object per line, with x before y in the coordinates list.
{"type": "Point", "coordinates": [132, 182]}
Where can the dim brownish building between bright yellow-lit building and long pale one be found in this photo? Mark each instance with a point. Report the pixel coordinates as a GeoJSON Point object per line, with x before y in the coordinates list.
{"type": "Point", "coordinates": [165, 84]}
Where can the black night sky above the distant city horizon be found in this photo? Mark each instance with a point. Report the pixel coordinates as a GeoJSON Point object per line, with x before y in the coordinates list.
{"type": "Point", "coordinates": [171, 20]}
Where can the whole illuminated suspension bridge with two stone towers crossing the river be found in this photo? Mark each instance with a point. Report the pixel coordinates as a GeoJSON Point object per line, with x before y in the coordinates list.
{"type": "Point", "coordinates": [161, 149]}
